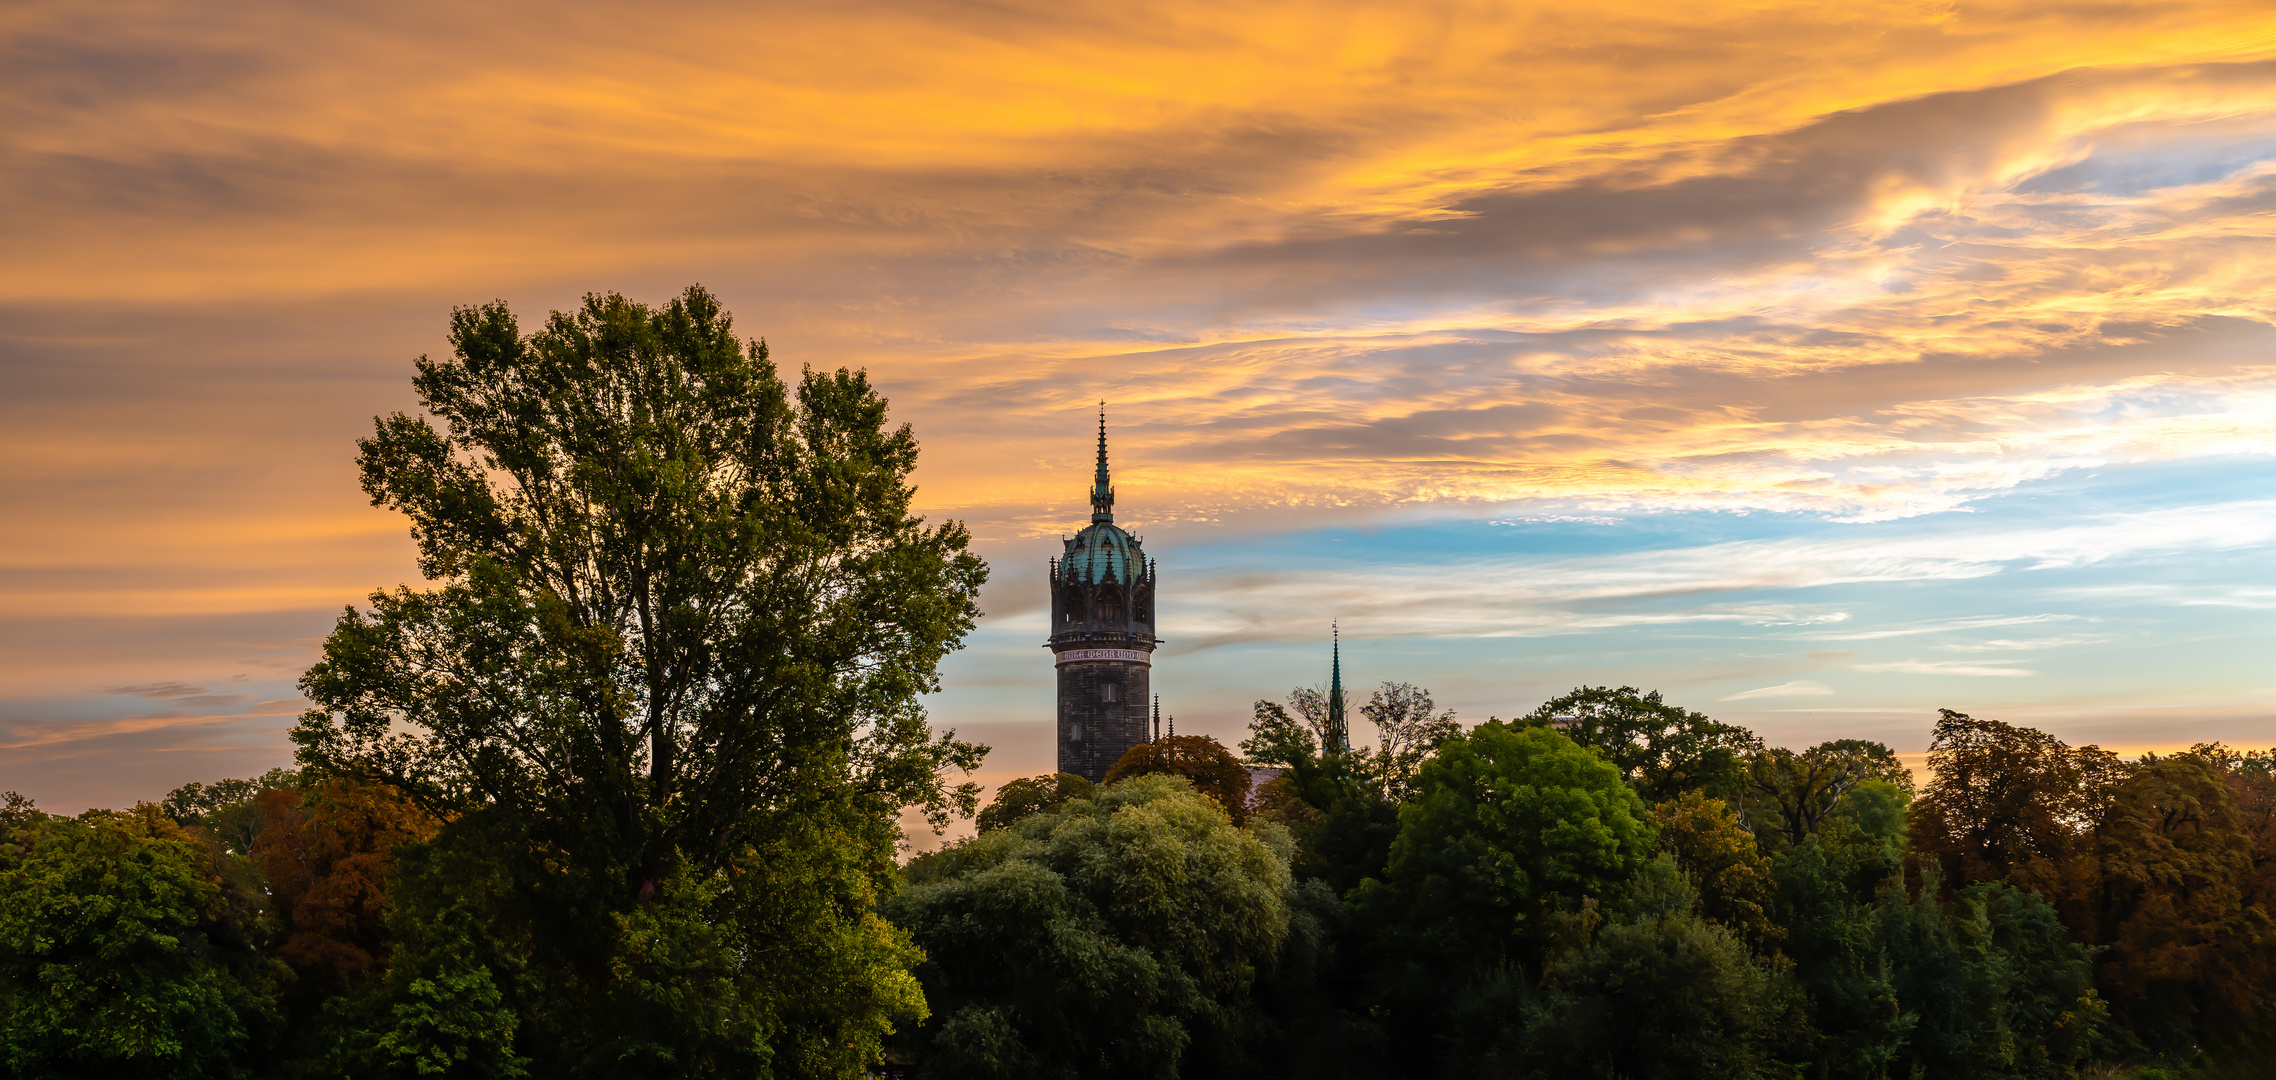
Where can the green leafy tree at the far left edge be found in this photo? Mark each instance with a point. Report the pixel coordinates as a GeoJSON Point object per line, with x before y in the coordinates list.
{"type": "Point", "coordinates": [129, 952]}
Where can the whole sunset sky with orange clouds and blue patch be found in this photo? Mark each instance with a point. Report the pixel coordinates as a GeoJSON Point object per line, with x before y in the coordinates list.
{"type": "Point", "coordinates": [1815, 365]}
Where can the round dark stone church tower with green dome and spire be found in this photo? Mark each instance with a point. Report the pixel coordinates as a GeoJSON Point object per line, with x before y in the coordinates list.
{"type": "Point", "coordinates": [1103, 635]}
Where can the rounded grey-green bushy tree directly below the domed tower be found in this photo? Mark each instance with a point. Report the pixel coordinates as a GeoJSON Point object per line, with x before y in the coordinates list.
{"type": "Point", "coordinates": [1098, 940]}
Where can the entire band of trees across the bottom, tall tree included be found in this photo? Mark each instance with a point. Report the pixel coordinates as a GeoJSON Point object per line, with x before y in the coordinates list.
{"type": "Point", "coordinates": [618, 795]}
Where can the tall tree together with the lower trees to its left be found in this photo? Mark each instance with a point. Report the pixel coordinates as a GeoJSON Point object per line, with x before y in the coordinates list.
{"type": "Point", "coordinates": [616, 795]}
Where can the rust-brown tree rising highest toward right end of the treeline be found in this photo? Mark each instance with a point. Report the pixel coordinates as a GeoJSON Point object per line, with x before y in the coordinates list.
{"type": "Point", "coordinates": [2011, 804]}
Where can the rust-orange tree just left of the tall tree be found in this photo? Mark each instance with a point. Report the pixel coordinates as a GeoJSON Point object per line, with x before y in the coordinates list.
{"type": "Point", "coordinates": [327, 858]}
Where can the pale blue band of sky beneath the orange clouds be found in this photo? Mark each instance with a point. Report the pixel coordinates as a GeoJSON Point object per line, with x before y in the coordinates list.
{"type": "Point", "coordinates": [2086, 649]}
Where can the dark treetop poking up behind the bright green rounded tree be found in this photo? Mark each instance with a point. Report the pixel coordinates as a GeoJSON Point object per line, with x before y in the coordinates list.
{"type": "Point", "coordinates": [1658, 747]}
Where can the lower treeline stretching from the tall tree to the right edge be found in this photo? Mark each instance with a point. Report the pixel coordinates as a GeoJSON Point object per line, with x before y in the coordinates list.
{"type": "Point", "coordinates": [1606, 888]}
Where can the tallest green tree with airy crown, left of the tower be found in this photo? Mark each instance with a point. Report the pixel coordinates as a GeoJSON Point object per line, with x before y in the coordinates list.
{"type": "Point", "coordinates": [666, 679]}
